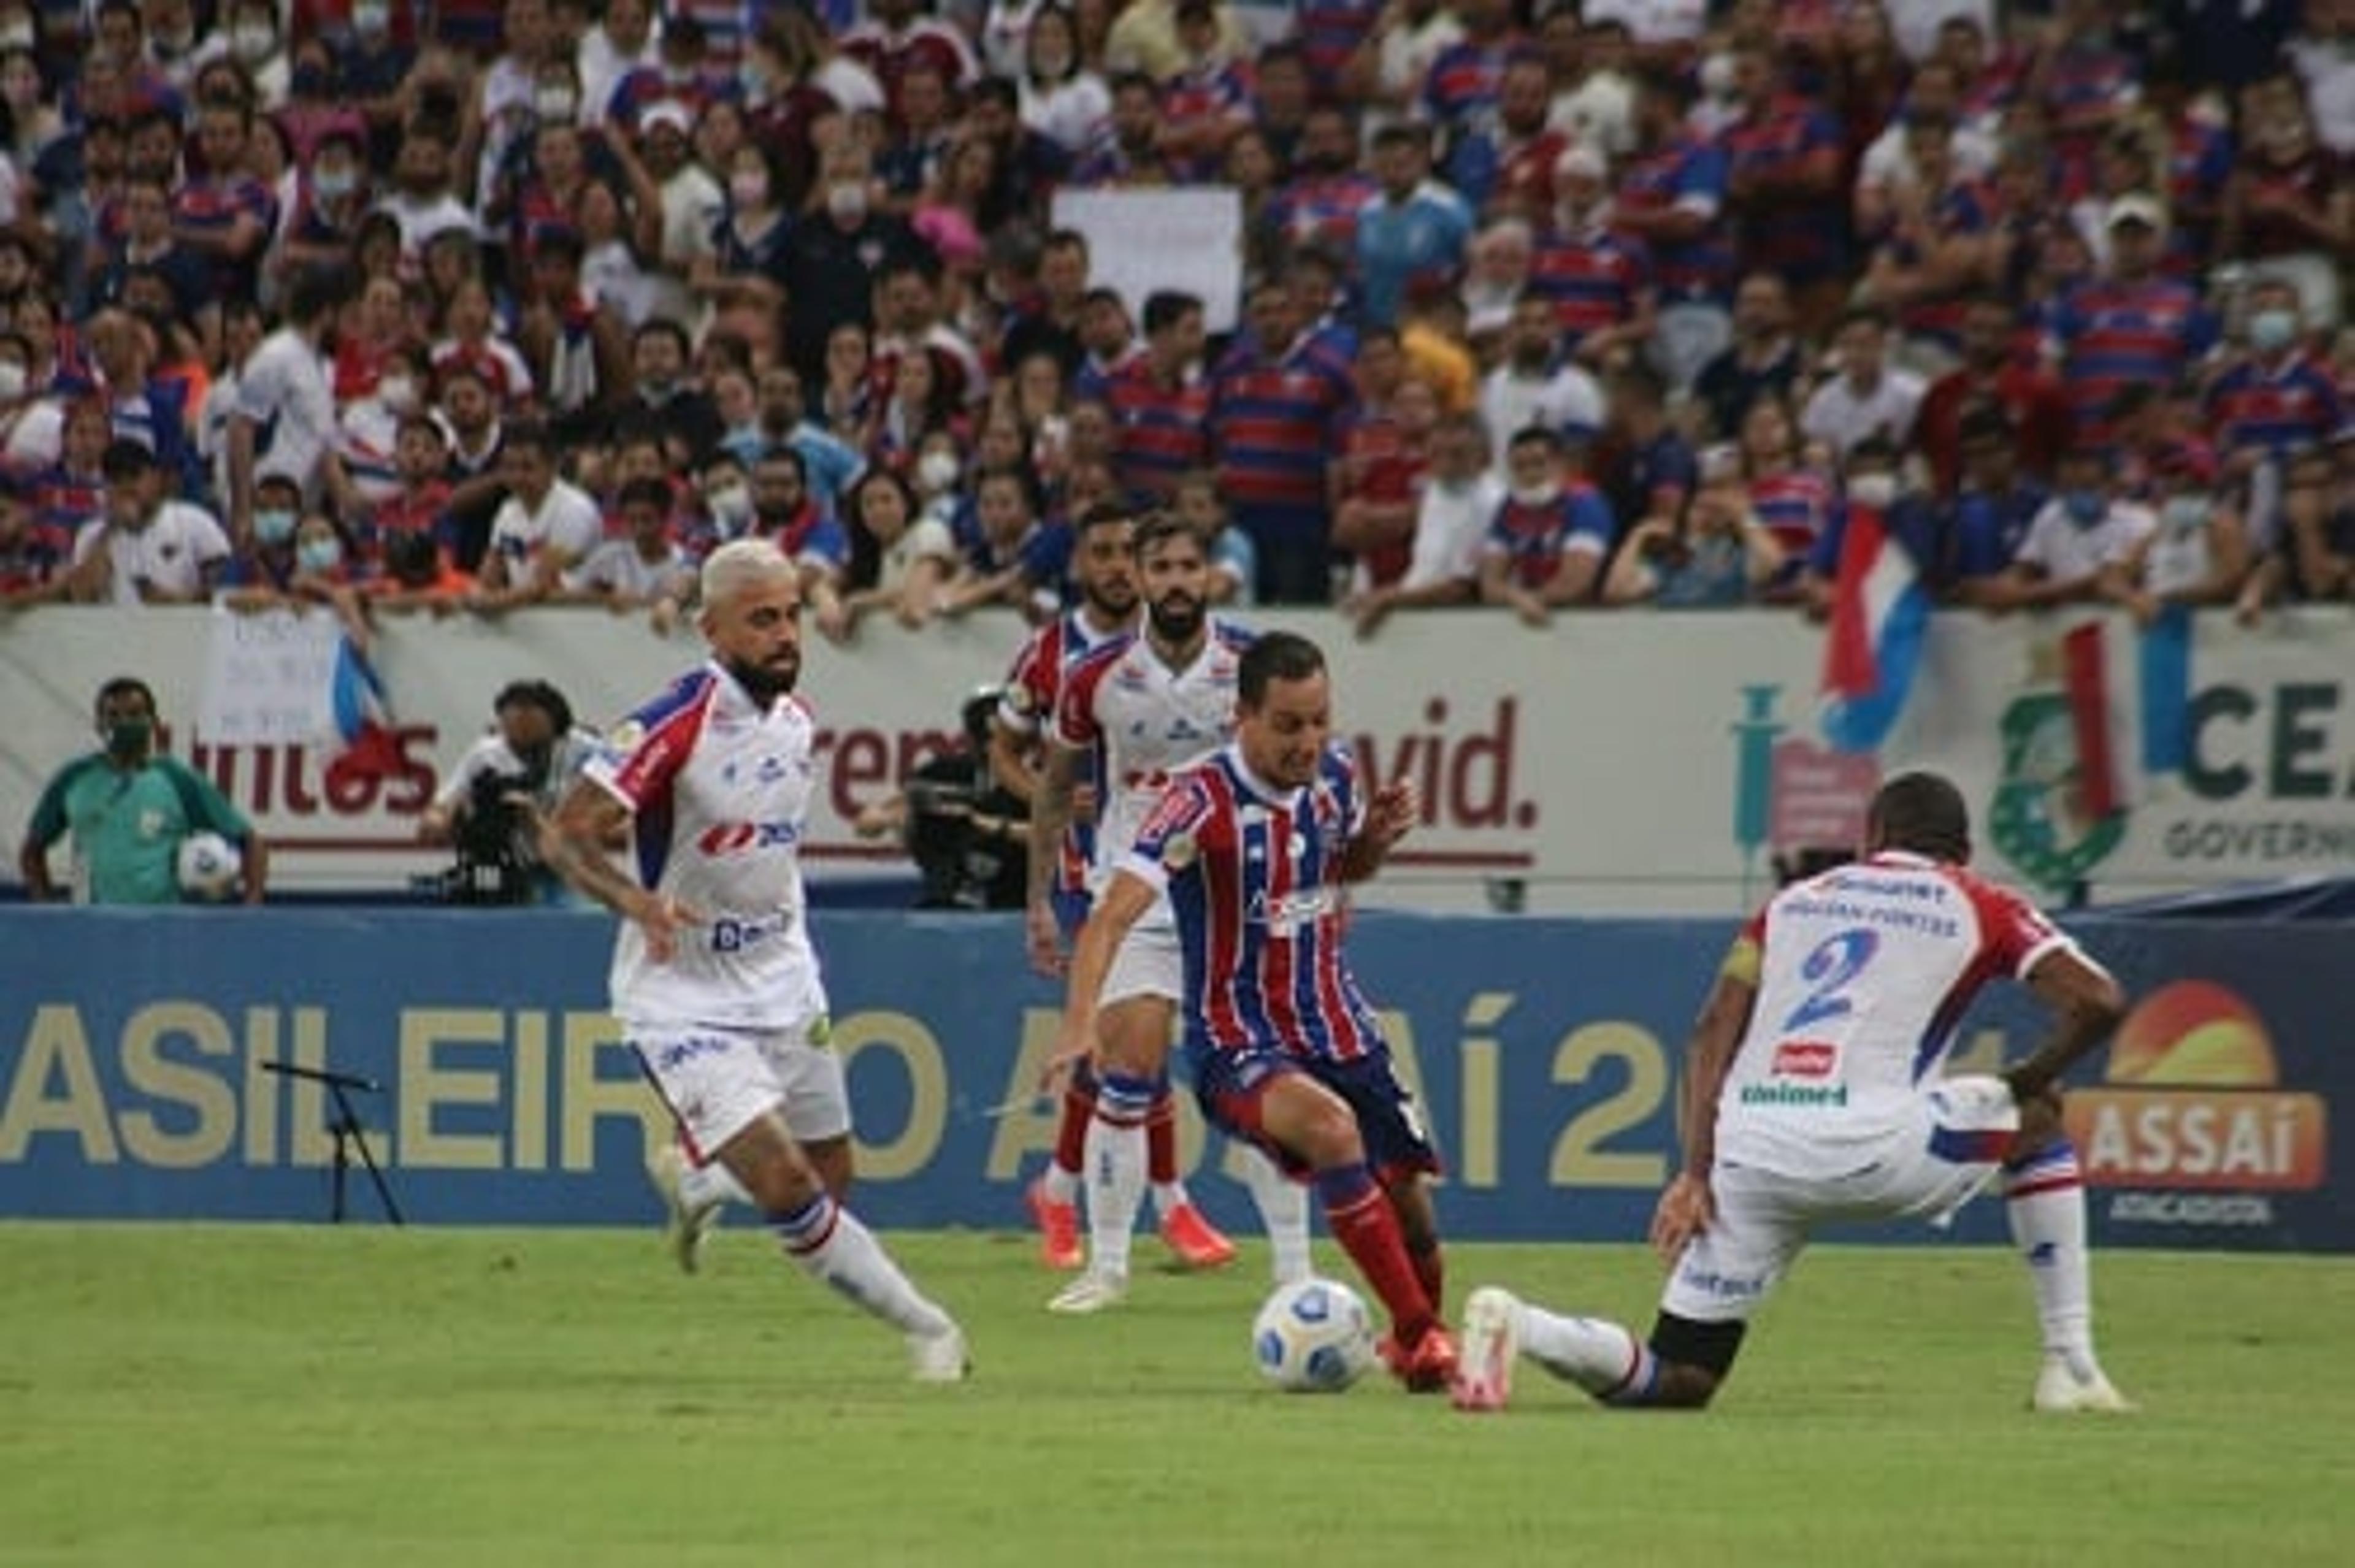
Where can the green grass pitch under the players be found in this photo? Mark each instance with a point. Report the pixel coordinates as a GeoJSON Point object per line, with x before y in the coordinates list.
{"type": "Point", "coordinates": [291, 1395]}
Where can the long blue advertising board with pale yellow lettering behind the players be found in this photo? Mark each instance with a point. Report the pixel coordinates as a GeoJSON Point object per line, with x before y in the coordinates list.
{"type": "Point", "coordinates": [135, 1082]}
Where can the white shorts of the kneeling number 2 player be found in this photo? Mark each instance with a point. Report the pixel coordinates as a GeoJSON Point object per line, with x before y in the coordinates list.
{"type": "Point", "coordinates": [1765, 1218]}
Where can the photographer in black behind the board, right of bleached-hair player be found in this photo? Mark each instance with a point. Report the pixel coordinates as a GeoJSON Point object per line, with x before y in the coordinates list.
{"type": "Point", "coordinates": [962, 828]}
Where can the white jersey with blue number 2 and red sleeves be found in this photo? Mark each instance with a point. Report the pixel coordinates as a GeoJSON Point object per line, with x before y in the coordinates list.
{"type": "Point", "coordinates": [1864, 976]}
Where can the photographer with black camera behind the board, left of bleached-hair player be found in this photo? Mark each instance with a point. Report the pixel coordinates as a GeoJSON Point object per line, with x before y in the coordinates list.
{"type": "Point", "coordinates": [496, 797]}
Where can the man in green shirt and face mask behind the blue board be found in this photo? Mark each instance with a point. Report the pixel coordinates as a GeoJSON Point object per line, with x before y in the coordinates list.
{"type": "Point", "coordinates": [128, 811]}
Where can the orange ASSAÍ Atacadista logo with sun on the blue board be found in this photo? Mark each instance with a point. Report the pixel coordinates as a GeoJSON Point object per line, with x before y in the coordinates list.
{"type": "Point", "coordinates": [2194, 1103]}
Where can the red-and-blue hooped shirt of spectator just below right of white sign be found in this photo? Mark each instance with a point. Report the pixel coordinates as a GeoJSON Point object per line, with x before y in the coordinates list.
{"type": "Point", "coordinates": [1275, 420]}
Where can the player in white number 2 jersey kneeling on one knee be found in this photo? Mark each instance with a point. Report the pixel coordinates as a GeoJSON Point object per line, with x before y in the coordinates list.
{"type": "Point", "coordinates": [1815, 1094]}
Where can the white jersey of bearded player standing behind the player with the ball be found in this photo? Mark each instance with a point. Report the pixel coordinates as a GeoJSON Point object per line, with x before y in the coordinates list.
{"type": "Point", "coordinates": [1150, 722]}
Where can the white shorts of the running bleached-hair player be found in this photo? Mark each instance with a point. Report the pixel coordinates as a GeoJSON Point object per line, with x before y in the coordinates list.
{"type": "Point", "coordinates": [719, 1082]}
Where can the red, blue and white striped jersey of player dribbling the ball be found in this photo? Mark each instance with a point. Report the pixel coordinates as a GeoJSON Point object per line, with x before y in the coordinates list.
{"type": "Point", "coordinates": [1254, 884]}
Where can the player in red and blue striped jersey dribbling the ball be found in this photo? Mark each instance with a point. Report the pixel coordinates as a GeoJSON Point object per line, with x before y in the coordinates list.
{"type": "Point", "coordinates": [1254, 851]}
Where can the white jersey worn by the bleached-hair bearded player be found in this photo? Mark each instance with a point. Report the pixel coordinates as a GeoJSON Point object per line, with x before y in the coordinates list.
{"type": "Point", "coordinates": [722, 797]}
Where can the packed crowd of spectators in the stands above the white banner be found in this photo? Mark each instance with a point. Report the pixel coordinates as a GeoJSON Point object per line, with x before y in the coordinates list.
{"type": "Point", "coordinates": [472, 307]}
